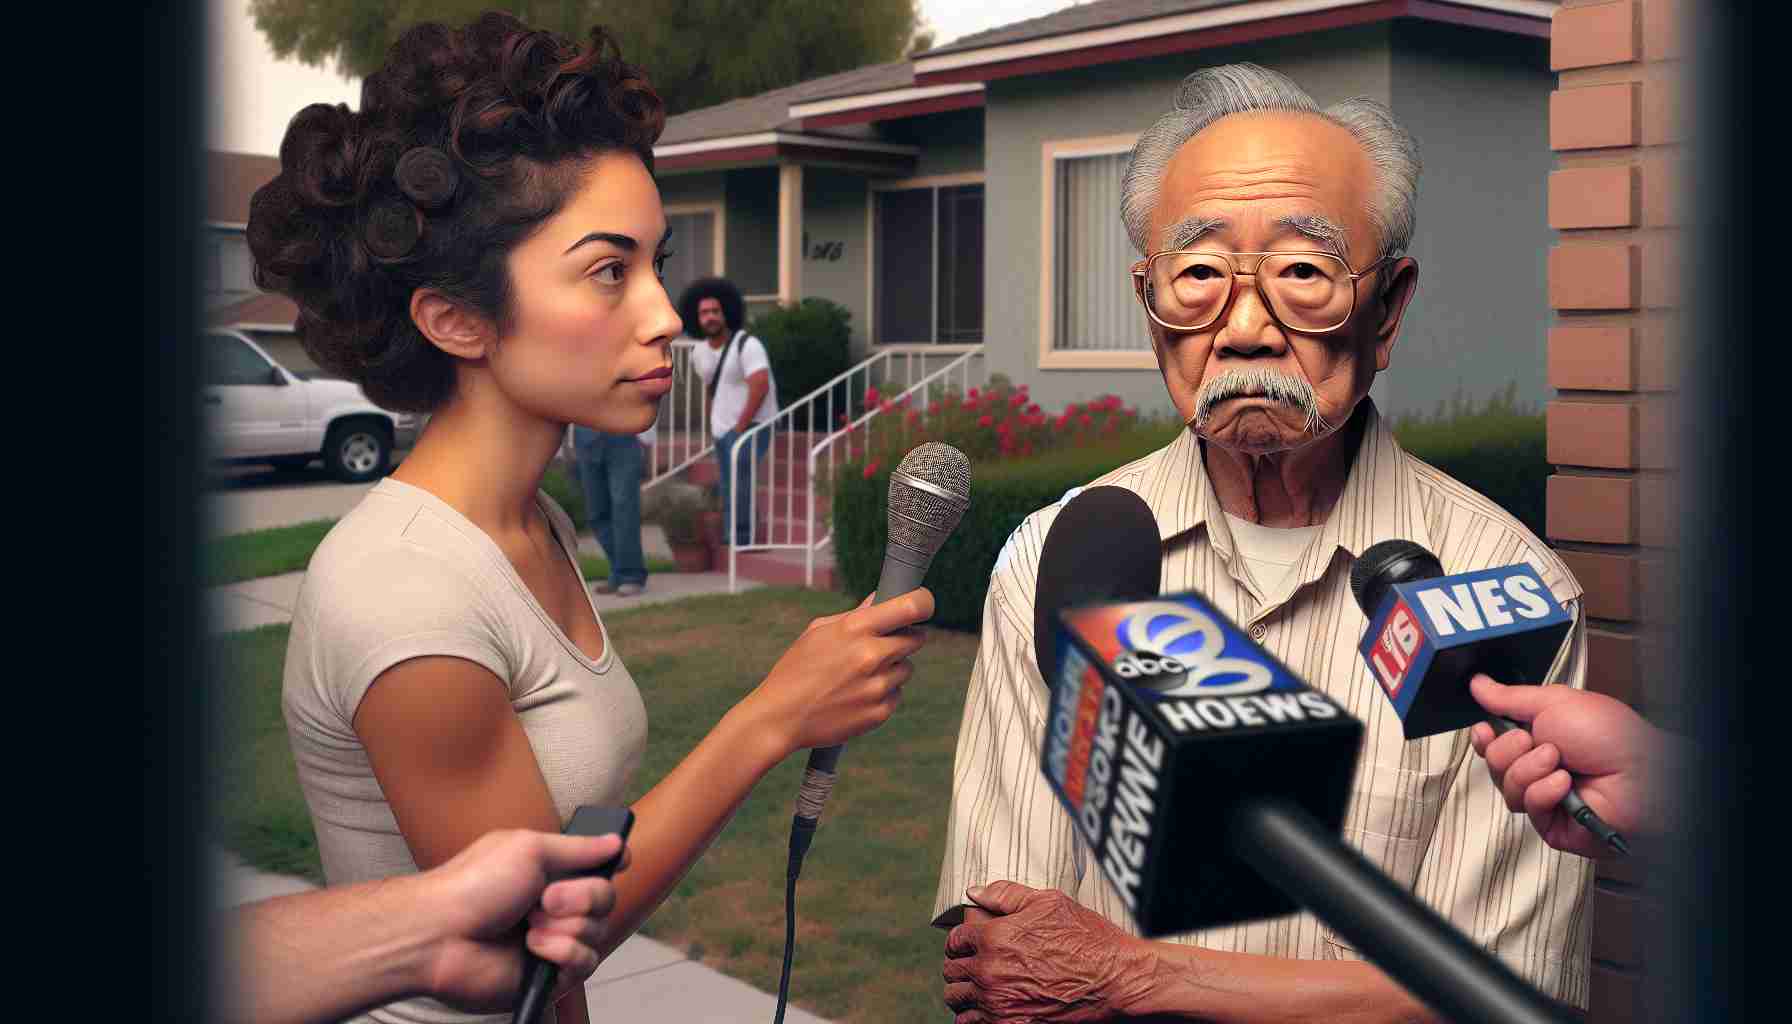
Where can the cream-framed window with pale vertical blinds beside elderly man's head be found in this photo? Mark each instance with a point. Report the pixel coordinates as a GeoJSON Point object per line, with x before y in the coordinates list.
{"type": "Point", "coordinates": [1092, 299]}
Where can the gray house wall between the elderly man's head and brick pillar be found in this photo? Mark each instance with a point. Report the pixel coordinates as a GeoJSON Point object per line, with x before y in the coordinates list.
{"type": "Point", "coordinates": [1479, 107]}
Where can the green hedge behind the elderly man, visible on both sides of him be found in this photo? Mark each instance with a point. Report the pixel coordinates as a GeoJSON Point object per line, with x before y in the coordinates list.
{"type": "Point", "coordinates": [1495, 449]}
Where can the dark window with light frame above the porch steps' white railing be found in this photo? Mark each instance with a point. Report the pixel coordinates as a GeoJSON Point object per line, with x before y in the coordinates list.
{"type": "Point", "coordinates": [929, 266]}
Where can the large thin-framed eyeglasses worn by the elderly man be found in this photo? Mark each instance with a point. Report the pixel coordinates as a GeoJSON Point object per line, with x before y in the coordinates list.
{"type": "Point", "coordinates": [1313, 293]}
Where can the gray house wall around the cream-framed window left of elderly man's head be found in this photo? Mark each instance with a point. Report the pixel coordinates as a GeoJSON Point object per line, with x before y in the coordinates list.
{"type": "Point", "coordinates": [1024, 114]}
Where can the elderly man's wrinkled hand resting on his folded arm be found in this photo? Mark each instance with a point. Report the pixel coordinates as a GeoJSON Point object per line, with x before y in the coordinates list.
{"type": "Point", "coordinates": [1040, 959]}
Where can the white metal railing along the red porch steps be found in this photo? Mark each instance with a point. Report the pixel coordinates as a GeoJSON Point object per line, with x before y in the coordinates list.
{"type": "Point", "coordinates": [827, 412]}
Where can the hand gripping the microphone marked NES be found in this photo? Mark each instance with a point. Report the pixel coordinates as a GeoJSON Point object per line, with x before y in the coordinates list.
{"type": "Point", "coordinates": [1578, 740]}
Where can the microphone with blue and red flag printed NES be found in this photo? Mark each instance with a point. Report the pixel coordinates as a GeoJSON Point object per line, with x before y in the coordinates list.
{"type": "Point", "coordinates": [1429, 634]}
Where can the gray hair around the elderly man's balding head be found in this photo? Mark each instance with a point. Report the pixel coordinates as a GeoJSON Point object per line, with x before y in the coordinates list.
{"type": "Point", "coordinates": [1212, 94]}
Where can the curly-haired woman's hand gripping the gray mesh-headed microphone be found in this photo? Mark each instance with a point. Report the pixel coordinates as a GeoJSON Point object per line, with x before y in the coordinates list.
{"type": "Point", "coordinates": [845, 673]}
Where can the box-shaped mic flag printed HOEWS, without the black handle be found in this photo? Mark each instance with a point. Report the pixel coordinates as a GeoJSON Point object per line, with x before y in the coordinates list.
{"type": "Point", "coordinates": [1164, 715]}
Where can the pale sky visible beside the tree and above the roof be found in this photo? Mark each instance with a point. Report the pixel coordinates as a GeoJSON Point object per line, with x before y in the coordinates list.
{"type": "Point", "coordinates": [255, 96]}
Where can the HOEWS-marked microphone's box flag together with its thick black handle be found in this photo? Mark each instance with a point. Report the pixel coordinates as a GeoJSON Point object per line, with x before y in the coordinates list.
{"type": "Point", "coordinates": [1212, 783]}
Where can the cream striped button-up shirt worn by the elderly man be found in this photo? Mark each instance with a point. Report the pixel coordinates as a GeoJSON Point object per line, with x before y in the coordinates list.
{"type": "Point", "coordinates": [1424, 811]}
